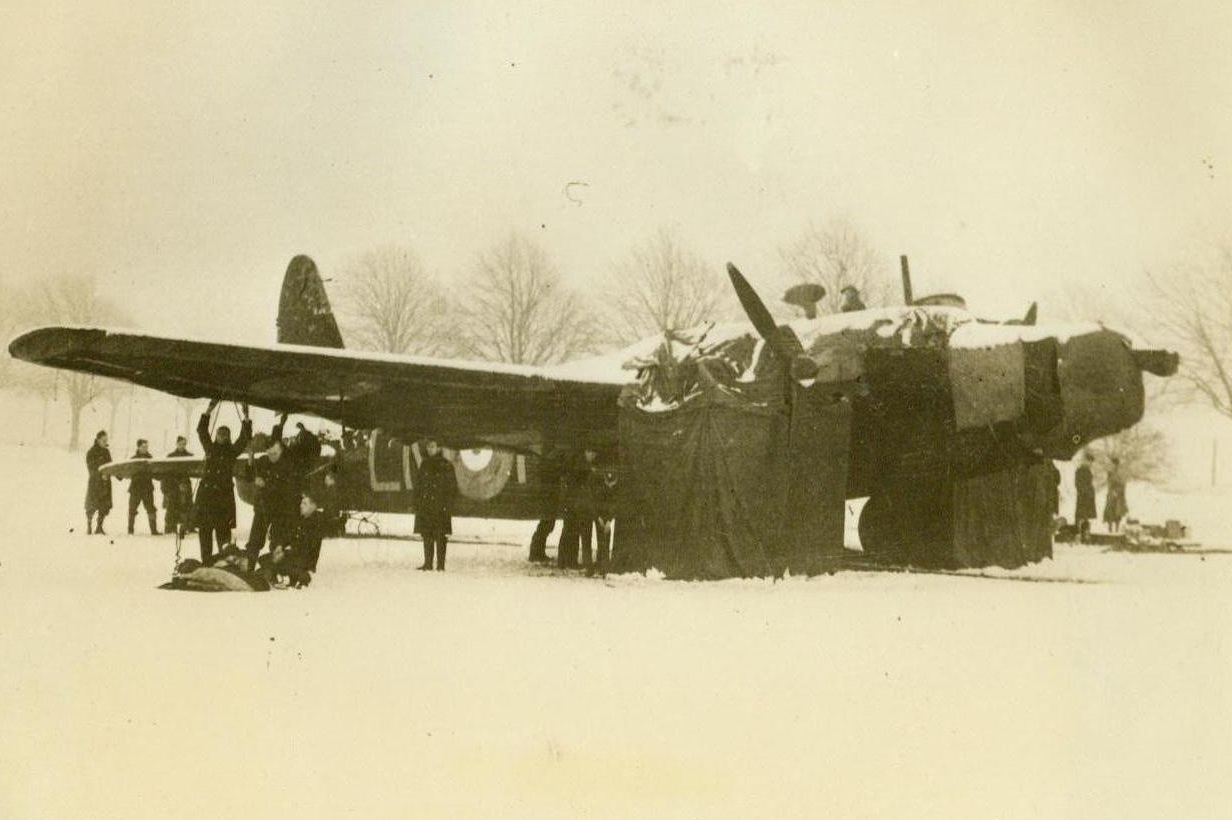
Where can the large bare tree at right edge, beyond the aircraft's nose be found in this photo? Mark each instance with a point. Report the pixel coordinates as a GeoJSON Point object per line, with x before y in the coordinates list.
{"type": "Point", "coordinates": [1189, 307]}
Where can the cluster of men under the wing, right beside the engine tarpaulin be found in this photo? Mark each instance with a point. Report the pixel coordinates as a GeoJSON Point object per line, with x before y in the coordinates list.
{"type": "Point", "coordinates": [581, 492]}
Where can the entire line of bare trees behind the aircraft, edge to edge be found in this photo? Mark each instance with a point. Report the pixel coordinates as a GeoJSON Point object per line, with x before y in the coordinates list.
{"type": "Point", "coordinates": [513, 305]}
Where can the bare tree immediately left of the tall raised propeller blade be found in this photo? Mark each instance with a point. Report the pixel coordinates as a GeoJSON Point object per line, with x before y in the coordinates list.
{"type": "Point", "coordinates": [660, 287]}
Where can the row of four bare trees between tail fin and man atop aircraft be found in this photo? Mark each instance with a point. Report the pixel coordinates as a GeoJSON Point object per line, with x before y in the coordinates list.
{"type": "Point", "coordinates": [513, 305]}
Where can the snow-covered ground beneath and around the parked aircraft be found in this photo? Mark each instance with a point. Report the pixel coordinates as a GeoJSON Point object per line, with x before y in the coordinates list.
{"type": "Point", "coordinates": [496, 691]}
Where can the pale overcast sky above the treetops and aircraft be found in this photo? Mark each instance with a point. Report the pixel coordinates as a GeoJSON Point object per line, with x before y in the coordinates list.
{"type": "Point", "coordinates": [185, 152]}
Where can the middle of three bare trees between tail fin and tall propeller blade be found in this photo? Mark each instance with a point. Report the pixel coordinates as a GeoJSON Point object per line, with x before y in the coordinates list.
{"type": "Point", "coordinates": [517, 310]}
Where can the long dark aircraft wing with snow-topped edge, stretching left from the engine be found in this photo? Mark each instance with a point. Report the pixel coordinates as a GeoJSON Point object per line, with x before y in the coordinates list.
{"type": "Point", "coordinates": [461, 403]}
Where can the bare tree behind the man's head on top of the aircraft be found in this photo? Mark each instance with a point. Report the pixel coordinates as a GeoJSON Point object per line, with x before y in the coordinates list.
{"type": "Point", "coordinates": [837, 255]}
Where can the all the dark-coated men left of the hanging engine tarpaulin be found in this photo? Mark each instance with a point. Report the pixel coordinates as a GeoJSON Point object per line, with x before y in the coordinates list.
{"type": "Point", "coordinates": [288, 517]}
